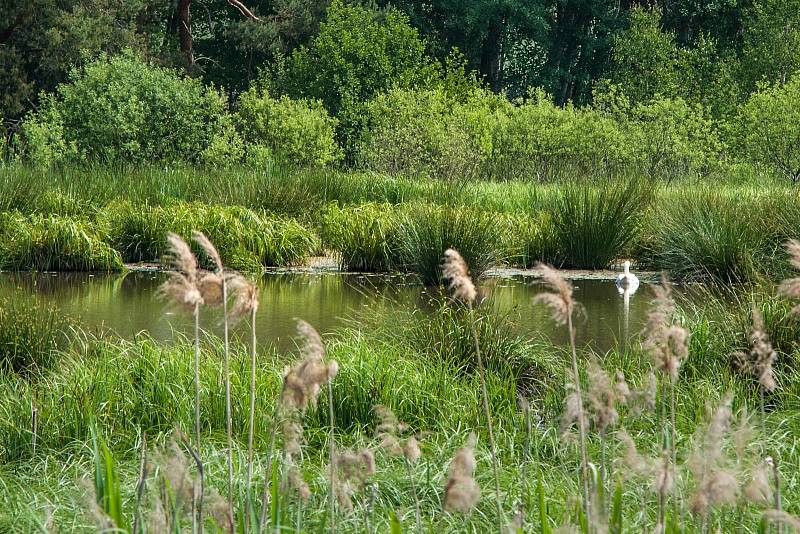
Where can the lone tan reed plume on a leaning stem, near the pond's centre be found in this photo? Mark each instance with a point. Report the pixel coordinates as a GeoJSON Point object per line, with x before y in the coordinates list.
{"type": "Point", "coordinates": [456, 272]}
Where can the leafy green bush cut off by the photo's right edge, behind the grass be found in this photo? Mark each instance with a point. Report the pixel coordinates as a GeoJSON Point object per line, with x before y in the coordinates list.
{"type": "Point", "coordinates": [768, 128]}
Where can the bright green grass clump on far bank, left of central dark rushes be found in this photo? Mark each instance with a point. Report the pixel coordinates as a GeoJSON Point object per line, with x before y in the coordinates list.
{"type": "Point", "coordinates": [363, 238]}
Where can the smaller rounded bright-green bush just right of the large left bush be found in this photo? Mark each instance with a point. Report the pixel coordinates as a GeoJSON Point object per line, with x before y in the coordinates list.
{"type": "Point", "coordinates": [299, 132]}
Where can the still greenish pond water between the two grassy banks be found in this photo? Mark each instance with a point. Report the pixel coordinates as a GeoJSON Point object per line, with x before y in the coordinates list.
{"type": "Point", "coordinates": [128, 304]}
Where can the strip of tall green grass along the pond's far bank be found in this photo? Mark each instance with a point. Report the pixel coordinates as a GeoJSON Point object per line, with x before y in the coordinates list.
{"type": "Point", "coordinates": [374, 223]}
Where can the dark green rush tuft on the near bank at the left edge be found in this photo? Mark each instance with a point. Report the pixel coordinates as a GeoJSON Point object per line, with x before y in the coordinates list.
{"type": "Point", "coordinates": [31, 335]}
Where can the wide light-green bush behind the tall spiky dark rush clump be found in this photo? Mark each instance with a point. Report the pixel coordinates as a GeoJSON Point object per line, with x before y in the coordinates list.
{"type": "Point", "coordinates": [538, 137]}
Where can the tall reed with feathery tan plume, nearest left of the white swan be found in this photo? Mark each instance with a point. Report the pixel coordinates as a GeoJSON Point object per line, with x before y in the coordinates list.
{"type": "Point", "coordinates": [562, 307]}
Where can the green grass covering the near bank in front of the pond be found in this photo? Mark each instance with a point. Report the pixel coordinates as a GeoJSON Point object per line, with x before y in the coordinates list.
{"type": "Point", "coordinates": [128, 388]}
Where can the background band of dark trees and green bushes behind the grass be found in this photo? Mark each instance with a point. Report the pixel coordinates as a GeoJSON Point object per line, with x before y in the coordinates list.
{"type": "Point", "coordinates": [492, 89]}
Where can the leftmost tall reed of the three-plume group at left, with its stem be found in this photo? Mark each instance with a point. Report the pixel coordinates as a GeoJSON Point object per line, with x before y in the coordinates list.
{"type": "Point", "coordinates": [184, 288]}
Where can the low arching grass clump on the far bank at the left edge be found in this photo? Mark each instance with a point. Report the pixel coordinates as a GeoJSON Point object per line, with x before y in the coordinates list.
{"type": "Point", "coordinates": [54, 243]}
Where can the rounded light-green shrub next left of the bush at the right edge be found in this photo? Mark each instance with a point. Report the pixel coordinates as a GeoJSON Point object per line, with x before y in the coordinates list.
{"type": "Point", "coordinates": [672, 138]}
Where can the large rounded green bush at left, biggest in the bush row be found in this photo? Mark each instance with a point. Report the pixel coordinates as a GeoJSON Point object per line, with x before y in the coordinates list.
{"type": "Point", "coordinates": [123, 110]}
